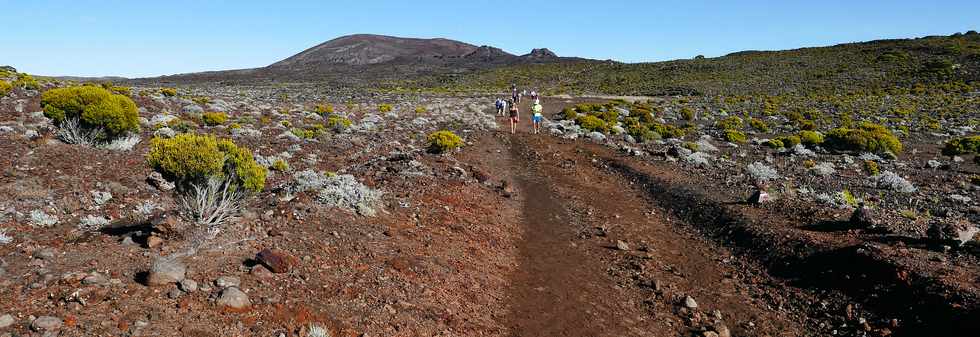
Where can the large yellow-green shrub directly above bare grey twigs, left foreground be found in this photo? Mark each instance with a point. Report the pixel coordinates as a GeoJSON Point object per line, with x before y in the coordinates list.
{"type": "Point", "coordinates": [190, 158]}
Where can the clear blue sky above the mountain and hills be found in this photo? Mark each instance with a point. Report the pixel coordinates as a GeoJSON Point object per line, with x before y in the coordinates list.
{"type": "Point", "coordinates": [149, 38]}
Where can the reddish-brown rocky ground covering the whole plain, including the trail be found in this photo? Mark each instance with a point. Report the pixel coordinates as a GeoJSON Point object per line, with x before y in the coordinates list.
{"type": "Point", "coordinates": [367, 234]}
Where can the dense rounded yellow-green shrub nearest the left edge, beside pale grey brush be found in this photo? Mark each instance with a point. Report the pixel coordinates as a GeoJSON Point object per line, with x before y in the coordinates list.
{"type": "Point", "coordinates": [93, 107]}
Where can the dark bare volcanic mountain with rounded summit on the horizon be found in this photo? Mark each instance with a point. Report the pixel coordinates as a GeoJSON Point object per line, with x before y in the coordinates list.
{"type": "Point", "coordinates": [360, 57]}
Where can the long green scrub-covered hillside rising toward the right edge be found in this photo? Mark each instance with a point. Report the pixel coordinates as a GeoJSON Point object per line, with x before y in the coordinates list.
{"type": "Point", "coordinates": [844, 67]}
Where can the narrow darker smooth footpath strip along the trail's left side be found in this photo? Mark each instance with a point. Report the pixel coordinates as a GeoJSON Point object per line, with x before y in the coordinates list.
{"type": "Point", "coordinates": [558, 291]}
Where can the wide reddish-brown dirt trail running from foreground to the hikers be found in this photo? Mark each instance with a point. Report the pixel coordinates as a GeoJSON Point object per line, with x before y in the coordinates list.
{"type": "Point", "coordinates": [574, 282]}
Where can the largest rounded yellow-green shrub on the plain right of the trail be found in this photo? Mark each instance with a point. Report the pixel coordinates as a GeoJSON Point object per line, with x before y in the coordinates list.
{"type": "Point", "coordinates": [867, 137]}
